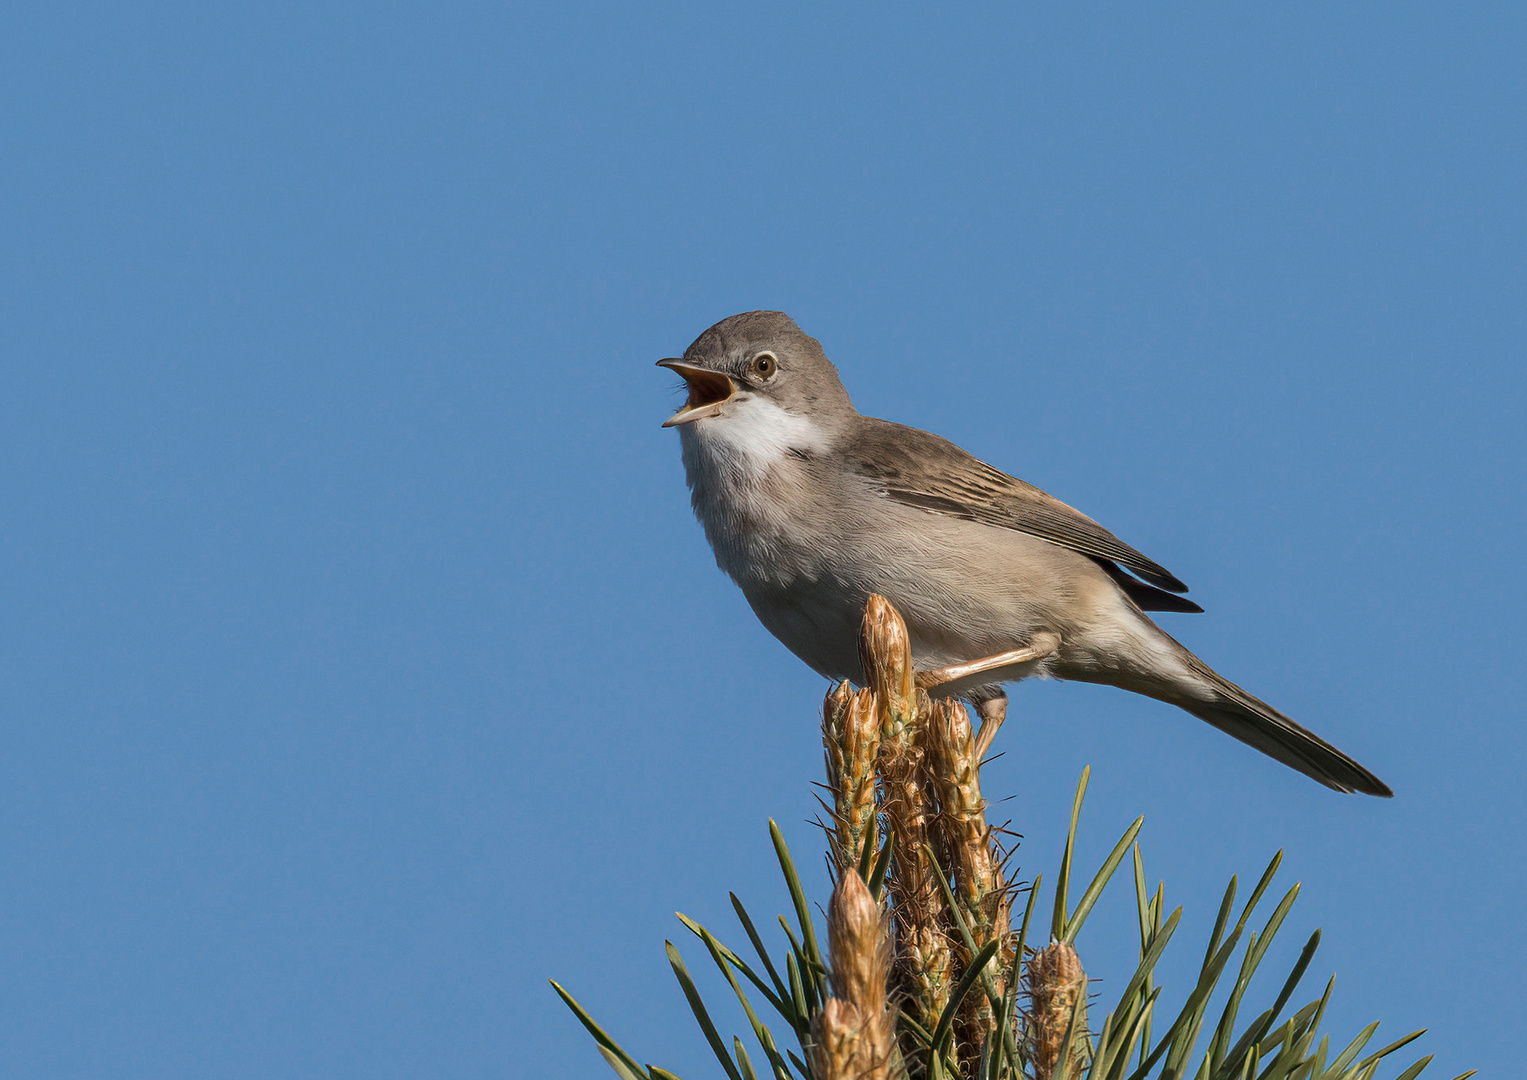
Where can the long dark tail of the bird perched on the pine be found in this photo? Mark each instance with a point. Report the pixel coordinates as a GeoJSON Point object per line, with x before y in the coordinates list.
{"type": "Point", "coordinates": [1259, 725]}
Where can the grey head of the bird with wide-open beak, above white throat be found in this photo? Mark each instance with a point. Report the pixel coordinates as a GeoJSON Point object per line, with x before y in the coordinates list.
{"type": "Point", "coordinates": [760, 357]}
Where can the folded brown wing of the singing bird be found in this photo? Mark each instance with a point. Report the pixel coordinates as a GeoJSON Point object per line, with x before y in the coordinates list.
{"type": "Point", "coordinates": [934, 474]}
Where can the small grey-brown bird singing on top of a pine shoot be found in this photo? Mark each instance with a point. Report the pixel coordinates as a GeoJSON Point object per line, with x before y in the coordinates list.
{"type": "Point", "coordinates": [810, 508]}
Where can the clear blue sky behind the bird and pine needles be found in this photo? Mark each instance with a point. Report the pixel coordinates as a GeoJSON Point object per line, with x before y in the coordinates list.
{"type": "Point", "coordinates": [361, 665]}
